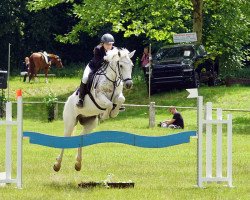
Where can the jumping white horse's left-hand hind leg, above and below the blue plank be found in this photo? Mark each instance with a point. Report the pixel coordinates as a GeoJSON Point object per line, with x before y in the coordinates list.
{"type": "Point", "coordinates": [68, 130]}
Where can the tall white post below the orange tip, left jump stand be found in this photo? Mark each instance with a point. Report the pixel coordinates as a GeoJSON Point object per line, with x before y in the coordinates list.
{"type": "Point", "coordinates": [19, 140]}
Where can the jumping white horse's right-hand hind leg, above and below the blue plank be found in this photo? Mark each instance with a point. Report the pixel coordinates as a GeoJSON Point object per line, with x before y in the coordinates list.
{"type": "Point", "coordinates": [89, 124]}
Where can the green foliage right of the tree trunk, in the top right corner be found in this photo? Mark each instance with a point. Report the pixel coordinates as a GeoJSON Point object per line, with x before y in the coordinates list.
{"type": "Point", "coordinates": [226, 31]}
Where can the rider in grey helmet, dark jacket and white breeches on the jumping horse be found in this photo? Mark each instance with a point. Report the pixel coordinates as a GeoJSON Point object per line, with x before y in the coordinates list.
{"type": "Point", "coordinates": [107, 41]}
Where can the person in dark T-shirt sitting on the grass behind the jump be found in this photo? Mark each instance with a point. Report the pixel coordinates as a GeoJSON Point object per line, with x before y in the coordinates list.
{"type": "Point", "coordinates": [175, 122]}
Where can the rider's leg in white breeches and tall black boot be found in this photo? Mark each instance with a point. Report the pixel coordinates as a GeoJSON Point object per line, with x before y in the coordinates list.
{"type": "Point", "coordinates": [82, 90]}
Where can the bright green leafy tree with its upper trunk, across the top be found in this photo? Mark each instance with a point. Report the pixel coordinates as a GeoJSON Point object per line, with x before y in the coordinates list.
{"type": "Point", "coordinates": [222, 25]}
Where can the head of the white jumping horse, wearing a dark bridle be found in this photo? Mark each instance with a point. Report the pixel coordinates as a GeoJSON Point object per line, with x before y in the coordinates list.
{"type": "Point", "coordinates": [122, 58]}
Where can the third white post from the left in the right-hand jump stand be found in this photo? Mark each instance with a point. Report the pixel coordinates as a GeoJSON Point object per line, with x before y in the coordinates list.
{"type": "Point", "coordinates": [219, 145]}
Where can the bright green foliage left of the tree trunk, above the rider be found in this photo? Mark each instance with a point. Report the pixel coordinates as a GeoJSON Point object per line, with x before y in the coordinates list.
{"type": "Point", "coordinates": [156, 19]}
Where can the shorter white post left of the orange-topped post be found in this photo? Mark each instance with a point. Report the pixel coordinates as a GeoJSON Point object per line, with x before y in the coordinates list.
{"type": "Point", "coordinates": [8, 152]}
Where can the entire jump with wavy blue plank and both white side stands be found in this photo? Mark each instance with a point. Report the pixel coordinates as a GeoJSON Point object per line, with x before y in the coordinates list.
{"type": "Point", "coordinates": [130, 139]}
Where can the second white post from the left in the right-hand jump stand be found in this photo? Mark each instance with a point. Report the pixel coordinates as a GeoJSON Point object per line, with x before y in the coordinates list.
{"type": "Point", "coordinates": [209, 140]}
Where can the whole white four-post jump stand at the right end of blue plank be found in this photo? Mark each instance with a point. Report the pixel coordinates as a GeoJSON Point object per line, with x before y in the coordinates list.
{"type": "Point", "coordinates": [208, 122]}
